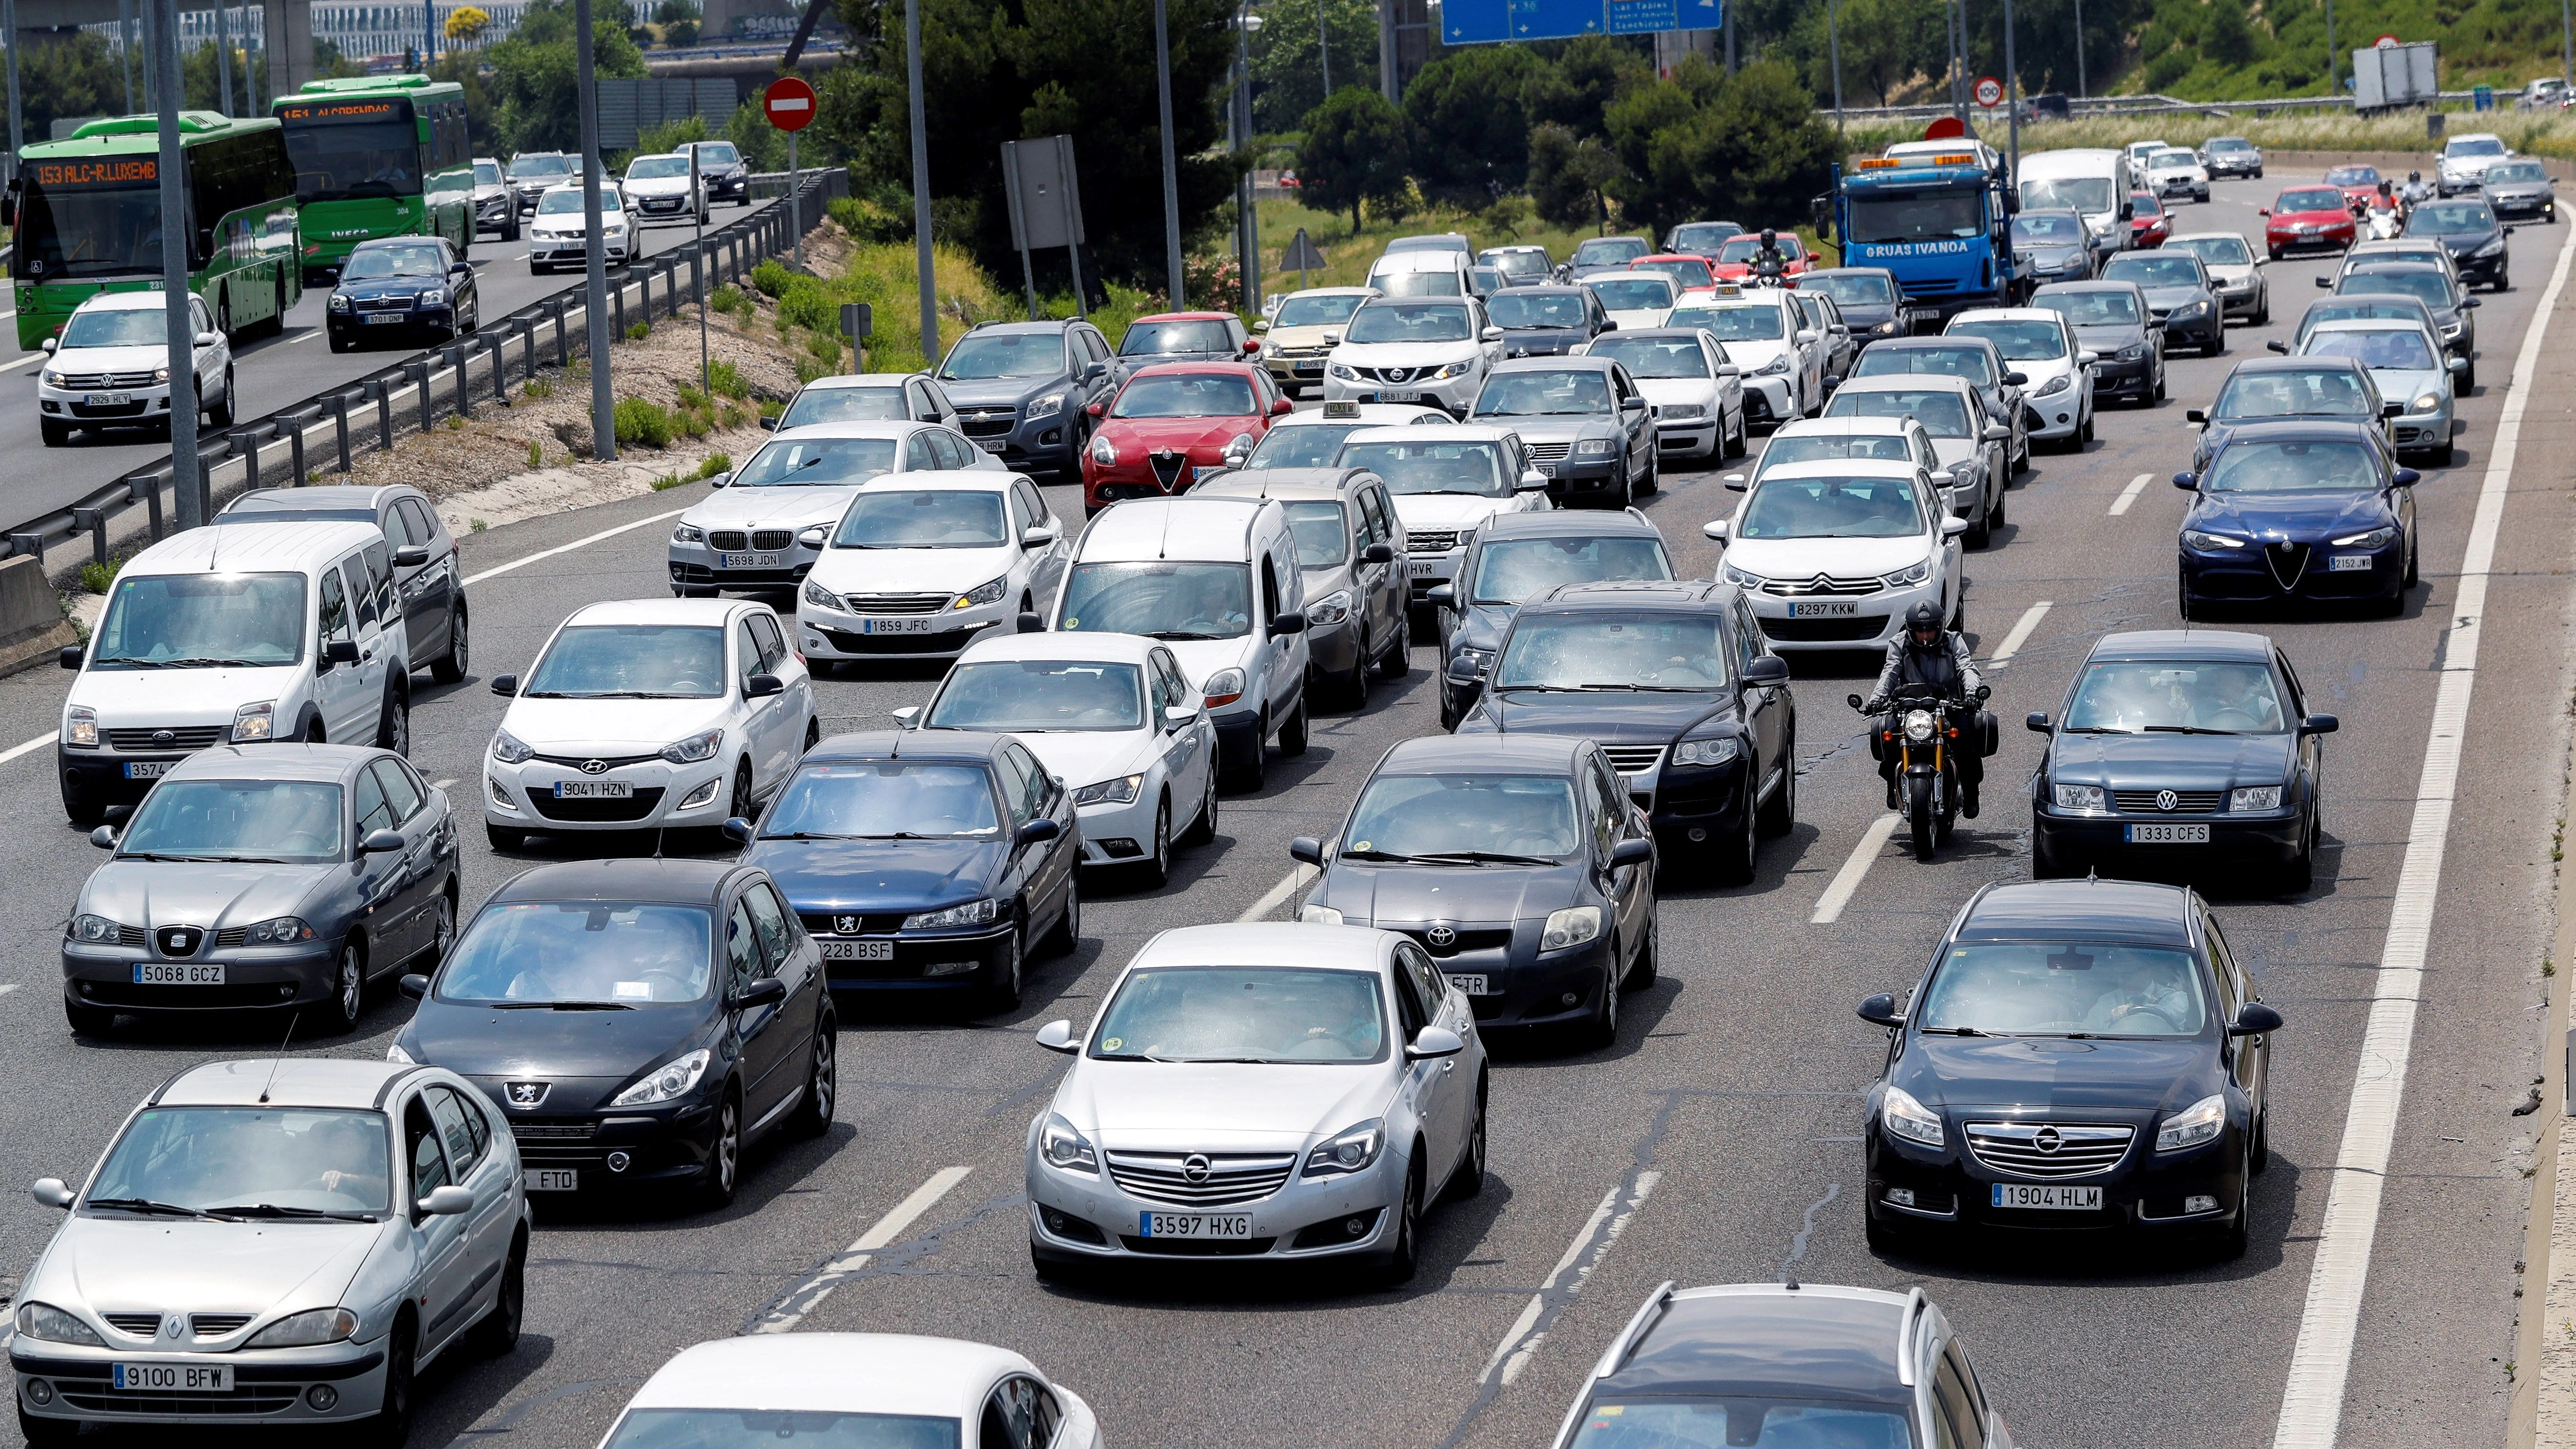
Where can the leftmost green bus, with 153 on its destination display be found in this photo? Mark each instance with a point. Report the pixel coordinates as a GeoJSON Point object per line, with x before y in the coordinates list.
{"type": "Point", "coordinates": [89, 217]}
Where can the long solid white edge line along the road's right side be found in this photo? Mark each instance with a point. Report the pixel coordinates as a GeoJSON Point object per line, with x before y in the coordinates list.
{"type": "Point", "coordinates": [2312, 1404]}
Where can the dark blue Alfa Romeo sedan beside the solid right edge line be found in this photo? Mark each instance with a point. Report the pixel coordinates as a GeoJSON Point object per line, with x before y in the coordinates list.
{"type": "Point", "coordinates": [2299, 513]}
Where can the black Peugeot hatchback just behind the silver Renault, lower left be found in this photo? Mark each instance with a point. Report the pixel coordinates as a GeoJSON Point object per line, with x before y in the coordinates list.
{"type": "Point", "coordinates": [638, 1023]}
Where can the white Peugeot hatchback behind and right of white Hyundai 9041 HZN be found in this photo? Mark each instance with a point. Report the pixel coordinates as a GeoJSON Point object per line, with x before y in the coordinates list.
{"type": "Point", "coordinates": [923, 565]}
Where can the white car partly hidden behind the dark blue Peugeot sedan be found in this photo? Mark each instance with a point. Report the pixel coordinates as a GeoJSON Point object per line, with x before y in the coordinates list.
{"type": "Point", "coordinates": [1109, 714]}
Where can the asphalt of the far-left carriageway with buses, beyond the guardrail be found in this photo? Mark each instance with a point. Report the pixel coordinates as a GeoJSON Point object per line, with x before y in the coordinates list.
{"type": "Point", "coordinates": [272, 372]}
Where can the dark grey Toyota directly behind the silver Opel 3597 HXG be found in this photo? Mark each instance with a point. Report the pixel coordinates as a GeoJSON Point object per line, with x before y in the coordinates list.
{"type": "Point", "coordinates": [1519, 863]}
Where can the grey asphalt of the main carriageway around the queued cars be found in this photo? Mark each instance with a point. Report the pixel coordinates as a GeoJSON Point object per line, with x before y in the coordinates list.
{"type": "Point", "coordinates": [1717, 1139]}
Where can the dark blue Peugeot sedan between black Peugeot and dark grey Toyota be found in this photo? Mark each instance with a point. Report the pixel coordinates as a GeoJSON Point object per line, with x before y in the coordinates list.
{"type": "Point", "coordinates": [926, 861]}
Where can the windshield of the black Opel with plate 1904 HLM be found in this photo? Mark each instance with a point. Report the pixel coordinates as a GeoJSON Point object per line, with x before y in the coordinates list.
{"type": "Point", "coordinates": [2065, 990]}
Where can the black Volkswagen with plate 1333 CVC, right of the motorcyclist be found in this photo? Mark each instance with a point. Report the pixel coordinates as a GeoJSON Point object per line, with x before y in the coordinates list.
{"type": "Point", "coordinates": [2181, 750]}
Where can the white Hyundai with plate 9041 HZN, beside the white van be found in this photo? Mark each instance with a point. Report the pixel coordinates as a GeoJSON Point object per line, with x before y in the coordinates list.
{"type": "Point", "coordinates": [643, 717]}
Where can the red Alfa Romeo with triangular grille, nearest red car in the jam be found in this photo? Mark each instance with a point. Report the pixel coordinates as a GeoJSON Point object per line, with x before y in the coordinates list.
{"type": "Point", "coordinates": [1168, 423]}
